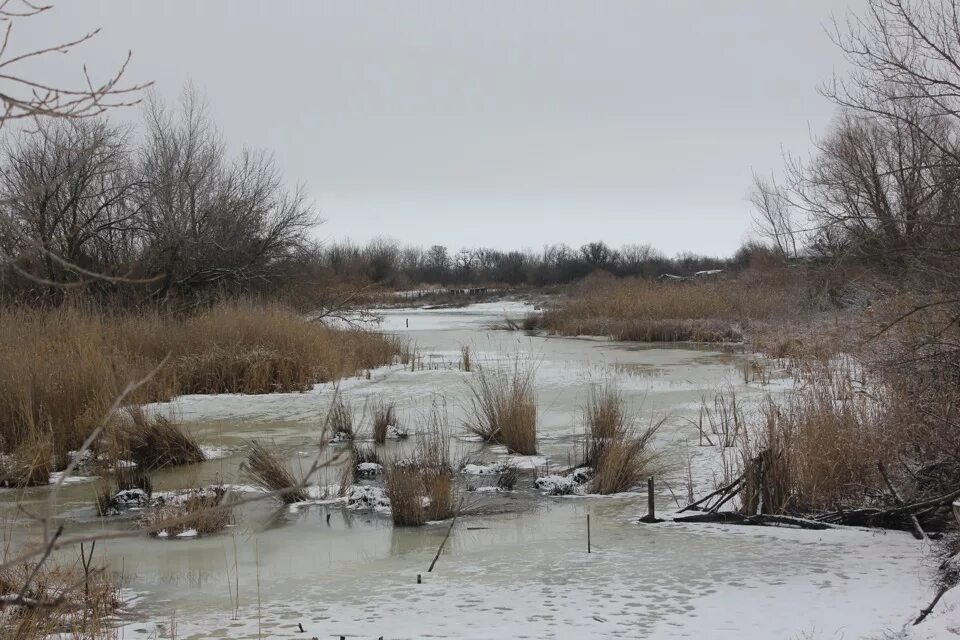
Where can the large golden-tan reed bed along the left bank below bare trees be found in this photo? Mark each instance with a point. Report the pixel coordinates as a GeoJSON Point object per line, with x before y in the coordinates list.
{"type": "Point", "coordinates": [61, 369]}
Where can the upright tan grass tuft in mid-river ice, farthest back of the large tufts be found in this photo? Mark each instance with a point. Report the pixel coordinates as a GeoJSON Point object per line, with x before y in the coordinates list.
{"type": "Point", "coordinates": [504, 408]}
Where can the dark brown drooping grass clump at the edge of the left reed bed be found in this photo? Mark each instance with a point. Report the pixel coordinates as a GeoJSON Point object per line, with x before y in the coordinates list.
{"type": "Point", "coordinates": [155, 442]}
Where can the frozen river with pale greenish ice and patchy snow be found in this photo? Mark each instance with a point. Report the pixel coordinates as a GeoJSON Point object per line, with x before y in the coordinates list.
{"type": "Point", "coordinates": [523, 570]}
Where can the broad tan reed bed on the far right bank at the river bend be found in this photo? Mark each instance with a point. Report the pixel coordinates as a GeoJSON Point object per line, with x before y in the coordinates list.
{"type": "Point", "coordinates": [710, 310]}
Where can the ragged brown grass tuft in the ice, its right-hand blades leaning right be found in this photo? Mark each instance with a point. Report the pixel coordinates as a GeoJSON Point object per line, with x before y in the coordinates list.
{"type": "Point", "coordinates": [614, 447]}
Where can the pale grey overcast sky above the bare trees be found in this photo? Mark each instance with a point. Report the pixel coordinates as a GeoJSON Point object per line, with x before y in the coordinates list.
{"type": "Point", "coordinates": [508, 124]}
